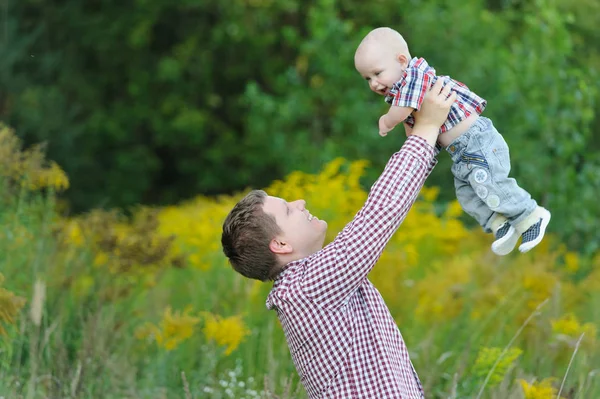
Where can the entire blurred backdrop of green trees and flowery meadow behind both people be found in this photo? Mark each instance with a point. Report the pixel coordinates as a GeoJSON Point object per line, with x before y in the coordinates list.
{"type": "Point", "coordinates": [157, 116]}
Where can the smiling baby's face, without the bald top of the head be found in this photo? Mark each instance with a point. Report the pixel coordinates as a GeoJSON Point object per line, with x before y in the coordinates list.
{"type": "Point", "coordinates": [380, 68]}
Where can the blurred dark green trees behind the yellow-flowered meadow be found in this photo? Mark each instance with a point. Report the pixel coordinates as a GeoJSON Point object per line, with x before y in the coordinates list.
{"type": "Point", "coordinates": [154, 101]}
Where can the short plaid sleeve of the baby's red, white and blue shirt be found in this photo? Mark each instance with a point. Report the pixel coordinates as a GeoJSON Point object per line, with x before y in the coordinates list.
{"type": "Point", "coordinates": [409, 91]}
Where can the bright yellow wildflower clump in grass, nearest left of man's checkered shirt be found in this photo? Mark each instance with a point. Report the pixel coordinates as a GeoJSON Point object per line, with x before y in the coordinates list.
{"type": "Point", "coordinates": [229, 331]}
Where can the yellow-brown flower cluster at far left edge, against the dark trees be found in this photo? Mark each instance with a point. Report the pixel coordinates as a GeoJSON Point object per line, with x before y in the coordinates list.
{"type": "Point", "coordinates": [28, 168]}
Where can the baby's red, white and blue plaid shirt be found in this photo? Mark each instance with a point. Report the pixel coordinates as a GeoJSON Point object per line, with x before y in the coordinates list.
{"type": "Point", "coordinates": [419, 77]}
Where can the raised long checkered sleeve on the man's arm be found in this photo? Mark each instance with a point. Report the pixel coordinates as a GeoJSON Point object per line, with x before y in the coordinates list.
{"type": "Point", "coordinates": [339, 269]}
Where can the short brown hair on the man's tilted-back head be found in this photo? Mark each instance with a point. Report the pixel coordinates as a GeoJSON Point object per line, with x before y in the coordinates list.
{"type": "Point", "coordinates": [247, 232]}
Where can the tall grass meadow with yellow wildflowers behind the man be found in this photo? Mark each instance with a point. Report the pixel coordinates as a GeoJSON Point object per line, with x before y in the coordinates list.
{"type": "Point", "coordinates": [146, 307]}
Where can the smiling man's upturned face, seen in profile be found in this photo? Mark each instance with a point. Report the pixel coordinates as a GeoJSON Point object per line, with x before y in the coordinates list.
{"type": "Point", "coordinates": [302, 231]}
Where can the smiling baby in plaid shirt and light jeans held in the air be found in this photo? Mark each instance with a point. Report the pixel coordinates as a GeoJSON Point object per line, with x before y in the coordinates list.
{"type": "Point", "coordinates": [479, 152]}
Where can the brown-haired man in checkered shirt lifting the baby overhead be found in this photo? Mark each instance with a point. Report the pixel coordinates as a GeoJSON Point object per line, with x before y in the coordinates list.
{"type": "Point", "coordinates": [341, 335]}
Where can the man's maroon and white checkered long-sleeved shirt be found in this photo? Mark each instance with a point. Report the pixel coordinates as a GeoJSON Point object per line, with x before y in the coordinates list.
{"type": "Point", "coordinates": [341, 335]}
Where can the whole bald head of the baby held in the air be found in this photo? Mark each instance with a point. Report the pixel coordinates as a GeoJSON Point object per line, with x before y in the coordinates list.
{"type": "Point", "coordinates": [381, 57]}
